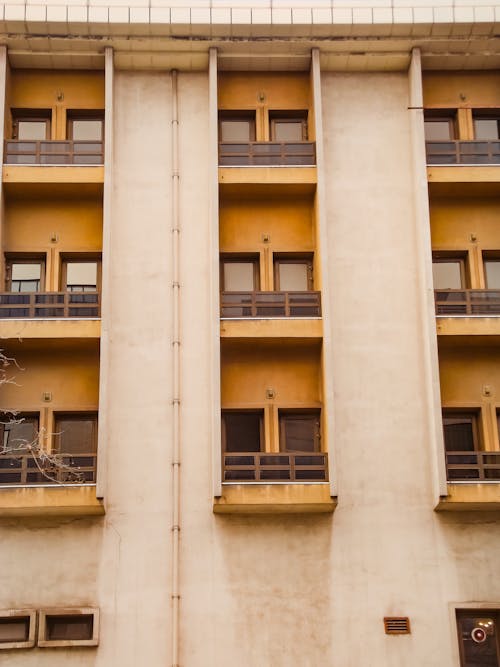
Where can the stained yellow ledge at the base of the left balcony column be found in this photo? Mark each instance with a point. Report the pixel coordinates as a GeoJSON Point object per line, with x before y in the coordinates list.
{"type": "Point", "coordinates": [50, 501]}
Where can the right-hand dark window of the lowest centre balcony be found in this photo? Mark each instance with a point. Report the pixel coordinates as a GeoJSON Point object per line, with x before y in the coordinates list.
{"type": "Point", "coordinates": [299, 431]}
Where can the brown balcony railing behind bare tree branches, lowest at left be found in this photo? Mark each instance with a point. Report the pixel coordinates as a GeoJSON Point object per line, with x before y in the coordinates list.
{"type": "Point", "coordinates": [60, 469]}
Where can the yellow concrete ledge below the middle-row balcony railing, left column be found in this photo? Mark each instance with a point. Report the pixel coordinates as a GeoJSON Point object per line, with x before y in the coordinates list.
{"type": "Point", "coordinates": [40, 328]}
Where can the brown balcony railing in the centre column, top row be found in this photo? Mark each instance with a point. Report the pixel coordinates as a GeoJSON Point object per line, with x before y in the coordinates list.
{"type": "Point", "coordinates": [267, 153]}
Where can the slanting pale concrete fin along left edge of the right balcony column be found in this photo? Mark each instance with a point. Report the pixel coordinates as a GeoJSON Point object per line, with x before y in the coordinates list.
{"type": "Point", "coordinates": [424, 274]}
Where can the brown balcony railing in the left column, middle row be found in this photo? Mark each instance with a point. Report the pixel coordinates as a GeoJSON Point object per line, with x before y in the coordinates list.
{"type": "Point", "coordinates": [49, 304]}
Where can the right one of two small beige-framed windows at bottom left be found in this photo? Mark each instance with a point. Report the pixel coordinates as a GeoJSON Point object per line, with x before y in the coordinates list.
{"type": "Point", "coordinates": [68, 627]}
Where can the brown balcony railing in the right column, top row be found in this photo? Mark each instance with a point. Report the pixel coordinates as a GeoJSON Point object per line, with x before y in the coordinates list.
{"type": "Point", "coordinates": [463, 152]}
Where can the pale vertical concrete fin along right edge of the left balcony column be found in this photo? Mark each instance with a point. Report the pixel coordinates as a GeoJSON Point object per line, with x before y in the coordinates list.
{"type": "Point", "coordinates": [106, 302]}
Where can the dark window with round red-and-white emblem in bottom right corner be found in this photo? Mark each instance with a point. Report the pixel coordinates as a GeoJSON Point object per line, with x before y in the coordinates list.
{"type": "Point", "coordinates": [478, 637]}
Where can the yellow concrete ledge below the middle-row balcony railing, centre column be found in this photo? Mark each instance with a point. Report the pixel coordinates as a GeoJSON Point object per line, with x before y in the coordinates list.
{"type": "Point", "coordinates": [271, 328]}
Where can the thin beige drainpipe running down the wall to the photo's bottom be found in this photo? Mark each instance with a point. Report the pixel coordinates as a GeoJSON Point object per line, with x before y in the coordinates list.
{"type": "Point", "coordinates": [176, 400]}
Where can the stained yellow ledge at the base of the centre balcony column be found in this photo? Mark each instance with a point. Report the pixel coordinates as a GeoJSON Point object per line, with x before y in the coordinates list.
{"type": "Point", "coordinates": [274, 499]}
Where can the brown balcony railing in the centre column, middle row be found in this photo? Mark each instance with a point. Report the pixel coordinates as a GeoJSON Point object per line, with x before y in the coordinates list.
{"type": "Point", "coordinates": [270, 304]}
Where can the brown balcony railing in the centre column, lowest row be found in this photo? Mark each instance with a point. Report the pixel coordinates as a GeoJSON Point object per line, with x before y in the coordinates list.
{"type": "Point", "coordinates": [279, 467]}
